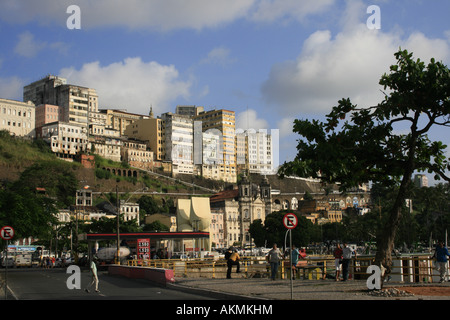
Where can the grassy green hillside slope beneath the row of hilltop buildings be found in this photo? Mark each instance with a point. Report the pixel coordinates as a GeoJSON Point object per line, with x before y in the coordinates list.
{"type": "Point", "coordinates": [17, 154]}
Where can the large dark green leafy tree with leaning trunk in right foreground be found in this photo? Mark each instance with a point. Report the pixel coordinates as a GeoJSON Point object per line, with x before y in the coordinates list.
{"type": "Point", "coordinates": [384, 143]}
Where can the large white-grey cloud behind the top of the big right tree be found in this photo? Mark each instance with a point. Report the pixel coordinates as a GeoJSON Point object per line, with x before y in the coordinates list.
{"type": "Point", "coordinates": [348, 65]}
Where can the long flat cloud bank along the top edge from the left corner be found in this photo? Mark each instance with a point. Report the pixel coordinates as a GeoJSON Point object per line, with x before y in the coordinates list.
{"type": "Point", "coordinates": [161, 15]}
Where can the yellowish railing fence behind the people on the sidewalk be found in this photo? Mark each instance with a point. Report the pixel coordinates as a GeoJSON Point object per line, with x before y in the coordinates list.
{"type": "Point", "coordinates": [410, 268]}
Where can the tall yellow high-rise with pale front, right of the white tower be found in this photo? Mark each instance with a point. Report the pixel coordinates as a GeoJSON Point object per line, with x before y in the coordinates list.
{"type": "Point", "coordinates": [224, 122]}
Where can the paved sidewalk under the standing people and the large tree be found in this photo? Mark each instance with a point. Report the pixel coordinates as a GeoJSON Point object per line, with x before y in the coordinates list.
{"type": "Point", "coordinates": [266, 289]}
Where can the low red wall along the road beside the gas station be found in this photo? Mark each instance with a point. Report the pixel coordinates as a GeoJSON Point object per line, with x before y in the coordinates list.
{"type": "Point", "coordinates": [157, 275]}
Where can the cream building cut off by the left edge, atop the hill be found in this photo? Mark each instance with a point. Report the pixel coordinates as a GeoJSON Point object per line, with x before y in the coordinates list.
{"type": "Point", "coordinates": [18, 118]}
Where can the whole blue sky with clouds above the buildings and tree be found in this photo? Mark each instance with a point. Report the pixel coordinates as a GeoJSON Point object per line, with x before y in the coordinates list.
{"type": "Point", "coordinates": [270, 61]}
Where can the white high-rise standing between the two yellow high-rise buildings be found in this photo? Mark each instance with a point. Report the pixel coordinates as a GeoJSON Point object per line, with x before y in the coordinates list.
{"type": "Point", "coordinates": [179, 140]}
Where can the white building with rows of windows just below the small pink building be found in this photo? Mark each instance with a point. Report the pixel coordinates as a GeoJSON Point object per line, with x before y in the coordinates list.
{"type": "Point", "coordinates": [66, 139]}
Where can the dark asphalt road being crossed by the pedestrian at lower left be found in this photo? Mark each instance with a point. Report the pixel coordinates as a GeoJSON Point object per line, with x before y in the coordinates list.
{"type": "Point", "coordinates": [51, 284]}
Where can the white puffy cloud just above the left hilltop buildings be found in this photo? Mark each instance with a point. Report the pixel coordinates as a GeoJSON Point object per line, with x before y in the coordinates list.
{"type": "Point", "coordinates": [132, 84]}
